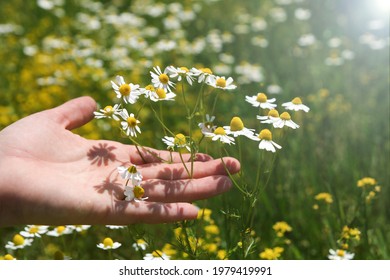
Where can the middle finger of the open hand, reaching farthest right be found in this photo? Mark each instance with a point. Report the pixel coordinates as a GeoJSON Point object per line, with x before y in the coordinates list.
{"type": "Point", "coordinates": [177, 171]}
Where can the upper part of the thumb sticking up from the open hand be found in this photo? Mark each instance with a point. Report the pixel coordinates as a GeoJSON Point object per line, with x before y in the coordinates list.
{"type": "Point", "coordinates": [74, 113]}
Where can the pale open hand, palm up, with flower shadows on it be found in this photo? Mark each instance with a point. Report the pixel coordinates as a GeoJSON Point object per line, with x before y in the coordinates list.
{"type": "Point", "coordinates": [51, 176]}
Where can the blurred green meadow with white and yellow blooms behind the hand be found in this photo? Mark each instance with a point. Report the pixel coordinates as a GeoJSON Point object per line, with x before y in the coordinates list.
{"type": "Point", "coordinates": [328, 185]}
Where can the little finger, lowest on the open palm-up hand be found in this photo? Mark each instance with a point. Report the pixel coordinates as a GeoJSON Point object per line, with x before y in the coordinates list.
{"type": "Point", "coordinates": [151, 213]}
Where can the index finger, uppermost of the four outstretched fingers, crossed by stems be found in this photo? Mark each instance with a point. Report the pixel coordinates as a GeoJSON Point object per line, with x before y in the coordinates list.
{"type": "Point", "coordinates": [142, 155]}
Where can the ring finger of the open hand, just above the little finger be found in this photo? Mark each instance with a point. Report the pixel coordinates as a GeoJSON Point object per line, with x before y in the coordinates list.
{"type": "Point", "coordinates": [185, 190]}
